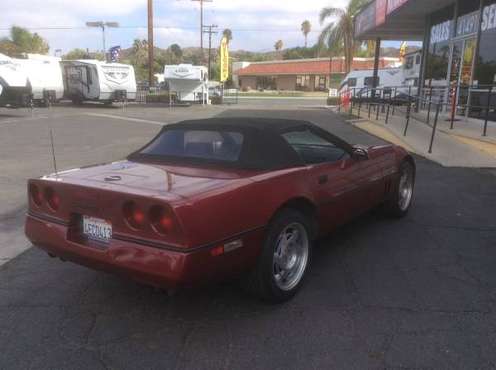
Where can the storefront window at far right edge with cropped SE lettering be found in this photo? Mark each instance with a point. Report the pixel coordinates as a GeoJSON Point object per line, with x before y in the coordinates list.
{"type": "Point", "coordinates": [485, 69]}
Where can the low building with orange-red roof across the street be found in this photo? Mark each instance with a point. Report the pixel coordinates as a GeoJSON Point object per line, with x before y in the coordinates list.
{"type": "Point", "coordinates": [316, 74]}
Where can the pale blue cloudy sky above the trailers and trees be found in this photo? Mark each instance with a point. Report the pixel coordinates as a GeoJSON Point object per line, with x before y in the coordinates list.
{"type": "Point", "coordinates": [256, 24]}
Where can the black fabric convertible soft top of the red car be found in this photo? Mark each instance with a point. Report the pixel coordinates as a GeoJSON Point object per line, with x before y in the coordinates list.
{"type": "Point", "coordinates": [263, 146]}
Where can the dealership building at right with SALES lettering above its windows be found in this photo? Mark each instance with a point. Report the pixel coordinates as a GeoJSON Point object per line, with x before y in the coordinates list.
{"type": "Point", "coordinates": [459, 38]}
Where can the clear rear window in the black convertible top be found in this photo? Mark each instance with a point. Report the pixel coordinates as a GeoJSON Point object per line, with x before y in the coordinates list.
{"type": "Point", "coordinates": [200, 144]}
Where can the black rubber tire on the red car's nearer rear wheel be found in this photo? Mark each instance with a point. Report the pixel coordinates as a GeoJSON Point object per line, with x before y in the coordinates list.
{"type": "Point", "coordinates": [261, 281]}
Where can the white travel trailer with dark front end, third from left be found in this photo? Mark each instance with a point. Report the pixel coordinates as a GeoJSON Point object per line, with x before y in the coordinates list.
{"type": "Point", "coordinates": [93, 80]}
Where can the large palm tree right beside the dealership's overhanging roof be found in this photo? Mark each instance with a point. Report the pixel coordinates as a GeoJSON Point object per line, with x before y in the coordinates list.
{"type": "Point", "coordinates": [340, 33]}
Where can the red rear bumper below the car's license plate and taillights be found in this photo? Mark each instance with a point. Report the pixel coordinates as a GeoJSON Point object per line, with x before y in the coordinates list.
{"type": "Point", "coordinates": [147, 264]}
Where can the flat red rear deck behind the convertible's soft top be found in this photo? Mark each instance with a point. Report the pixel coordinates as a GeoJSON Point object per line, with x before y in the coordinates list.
{"type": "Point", "coordinates": [156, 180]}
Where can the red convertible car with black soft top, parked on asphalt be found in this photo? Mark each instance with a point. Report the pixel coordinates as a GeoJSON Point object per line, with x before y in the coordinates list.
{"type": "Point", "coordinates": [217, 198]}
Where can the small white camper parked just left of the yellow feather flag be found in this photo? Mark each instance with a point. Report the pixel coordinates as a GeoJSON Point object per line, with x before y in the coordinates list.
{"type": "Point", "coordinates": [189, 82]}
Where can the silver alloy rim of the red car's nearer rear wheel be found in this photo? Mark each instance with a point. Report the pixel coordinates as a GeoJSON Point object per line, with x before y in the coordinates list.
{"type": "Point", "coordinates": [290, 256]}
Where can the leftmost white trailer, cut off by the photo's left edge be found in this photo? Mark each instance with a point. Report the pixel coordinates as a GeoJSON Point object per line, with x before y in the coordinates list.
{"type": "Point", "coordinates": [15, 90]}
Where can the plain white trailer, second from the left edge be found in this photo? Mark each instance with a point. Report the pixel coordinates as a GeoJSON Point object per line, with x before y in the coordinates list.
{"type": "Point", "coordinates": [45, 77]}
